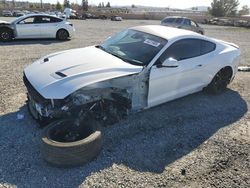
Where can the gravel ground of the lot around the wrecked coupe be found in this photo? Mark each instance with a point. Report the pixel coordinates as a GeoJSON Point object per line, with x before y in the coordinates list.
{"type": "Point", "coordinates": [195, 141]}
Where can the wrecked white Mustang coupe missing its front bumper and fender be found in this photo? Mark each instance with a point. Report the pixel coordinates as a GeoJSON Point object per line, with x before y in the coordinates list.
{"type": "Point", "coordinates": [135, 69]}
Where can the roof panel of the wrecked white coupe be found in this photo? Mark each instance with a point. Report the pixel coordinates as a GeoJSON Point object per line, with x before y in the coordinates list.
{"type": "Point", "coordinates": [165, 32]}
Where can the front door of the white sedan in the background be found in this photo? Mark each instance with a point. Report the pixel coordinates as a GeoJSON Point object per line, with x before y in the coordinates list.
{"type": "Point", "coordinates": [28, 28]}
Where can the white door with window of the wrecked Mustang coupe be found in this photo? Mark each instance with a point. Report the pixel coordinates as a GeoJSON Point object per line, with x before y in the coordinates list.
{"type": "Point", "coordinates": [188, 76]}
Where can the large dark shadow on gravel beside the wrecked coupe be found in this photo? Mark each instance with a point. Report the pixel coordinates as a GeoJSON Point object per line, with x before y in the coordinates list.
{"type": "Point", "coordinates": [146, 142]}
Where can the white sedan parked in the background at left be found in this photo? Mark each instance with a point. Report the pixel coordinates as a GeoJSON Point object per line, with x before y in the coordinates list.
{"type": "Point", "coordinates": [36, 26]}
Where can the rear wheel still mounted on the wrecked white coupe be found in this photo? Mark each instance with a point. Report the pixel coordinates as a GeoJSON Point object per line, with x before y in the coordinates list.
{"type": "Point", "coordinates": [220, 81]}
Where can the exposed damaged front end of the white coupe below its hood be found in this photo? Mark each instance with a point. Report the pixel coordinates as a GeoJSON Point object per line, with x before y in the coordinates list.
{"type": "Point", "coordinates": [108, 101]}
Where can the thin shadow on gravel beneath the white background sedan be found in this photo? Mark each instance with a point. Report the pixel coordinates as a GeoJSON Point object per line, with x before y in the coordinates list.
{"type": "Point", "coordinates": [31, 41]}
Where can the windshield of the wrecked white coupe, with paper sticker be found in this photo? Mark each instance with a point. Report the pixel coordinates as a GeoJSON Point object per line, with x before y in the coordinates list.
{"type": "Point", "coordinates": [134, 47]}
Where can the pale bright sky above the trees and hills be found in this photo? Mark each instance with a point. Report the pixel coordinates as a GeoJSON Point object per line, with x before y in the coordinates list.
{"type": "Point", "coordinates": [155, 3]}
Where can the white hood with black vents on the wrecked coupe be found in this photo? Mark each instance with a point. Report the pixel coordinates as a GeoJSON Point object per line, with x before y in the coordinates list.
{"type": "Point", "coordinates": [58, 75]}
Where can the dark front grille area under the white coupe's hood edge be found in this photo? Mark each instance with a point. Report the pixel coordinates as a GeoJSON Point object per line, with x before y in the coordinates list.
{"type": "Point", "coordinates": [33, 92]}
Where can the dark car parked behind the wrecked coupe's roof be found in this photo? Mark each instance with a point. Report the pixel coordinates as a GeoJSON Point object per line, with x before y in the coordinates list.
{"type": "Point", "coordinates": [182, 23]}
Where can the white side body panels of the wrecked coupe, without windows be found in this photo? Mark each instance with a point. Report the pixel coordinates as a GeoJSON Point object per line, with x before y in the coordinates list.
{"type": "Point", "coordinates": [192, 75]}
